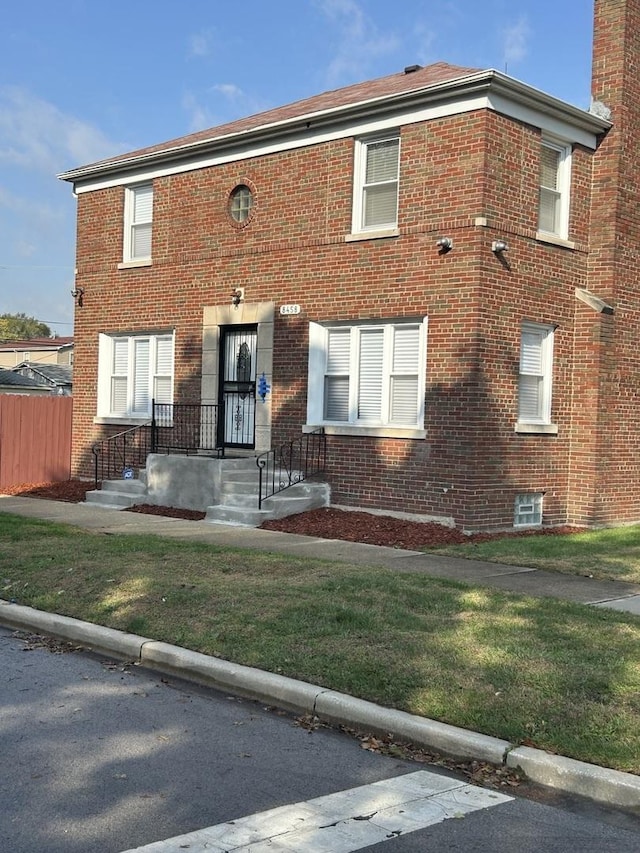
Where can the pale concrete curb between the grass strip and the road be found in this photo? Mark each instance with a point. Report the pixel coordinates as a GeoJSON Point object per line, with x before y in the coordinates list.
{"type": "Point", "coordinates": [611, 787]}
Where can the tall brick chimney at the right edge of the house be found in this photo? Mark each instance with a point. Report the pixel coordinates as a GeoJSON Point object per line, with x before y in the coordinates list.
{"type": "Point", "coordinates": [604, 470]}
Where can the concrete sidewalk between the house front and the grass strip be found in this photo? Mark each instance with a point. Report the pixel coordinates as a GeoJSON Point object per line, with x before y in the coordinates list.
{"type": "Point", "coordinates": [526, 581]}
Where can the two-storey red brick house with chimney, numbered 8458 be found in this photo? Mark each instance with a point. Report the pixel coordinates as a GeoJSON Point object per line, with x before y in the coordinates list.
{"type": "Point", "coordinates": [439, 268]}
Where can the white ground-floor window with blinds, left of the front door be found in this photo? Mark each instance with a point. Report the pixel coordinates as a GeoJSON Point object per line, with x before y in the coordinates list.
{"type": "Point", "coordinates": [133, 370]}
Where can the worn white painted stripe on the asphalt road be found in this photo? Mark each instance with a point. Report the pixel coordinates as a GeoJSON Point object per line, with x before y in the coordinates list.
{"type": "Point", "coordinates": [342, 822]}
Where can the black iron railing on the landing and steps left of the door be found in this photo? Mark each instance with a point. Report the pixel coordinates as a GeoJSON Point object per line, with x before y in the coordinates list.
{"type": "Point", "coordinates": [174, 428]}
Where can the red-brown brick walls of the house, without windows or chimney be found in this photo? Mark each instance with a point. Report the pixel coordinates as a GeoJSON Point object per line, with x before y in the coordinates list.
{"type": "Point", "coordinates": [453, 170]}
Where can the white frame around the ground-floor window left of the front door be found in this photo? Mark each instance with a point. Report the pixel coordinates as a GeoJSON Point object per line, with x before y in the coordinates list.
{"type": "Point", "coordinates": [105, 414]}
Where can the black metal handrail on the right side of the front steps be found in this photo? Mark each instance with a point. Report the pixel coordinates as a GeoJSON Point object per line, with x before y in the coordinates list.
{"type": "Point", "coordinates": [291, 463]}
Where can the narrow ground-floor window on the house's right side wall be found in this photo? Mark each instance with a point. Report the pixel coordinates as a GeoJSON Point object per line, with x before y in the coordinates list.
{"type": "Point", "coordinates": [536, 363]}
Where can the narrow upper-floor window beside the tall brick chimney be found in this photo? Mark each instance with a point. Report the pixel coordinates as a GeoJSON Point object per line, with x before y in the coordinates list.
{"type": "Point", "coordinates": [553, 214]}
